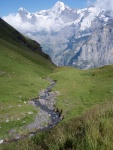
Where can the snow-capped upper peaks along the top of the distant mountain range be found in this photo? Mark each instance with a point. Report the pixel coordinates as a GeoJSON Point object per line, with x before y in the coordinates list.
{"type": "Point", "coordinates": [60, 16]}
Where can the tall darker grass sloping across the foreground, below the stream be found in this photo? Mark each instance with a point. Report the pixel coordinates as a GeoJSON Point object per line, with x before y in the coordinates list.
{"type": "Point", "coordinates": [93, 130]}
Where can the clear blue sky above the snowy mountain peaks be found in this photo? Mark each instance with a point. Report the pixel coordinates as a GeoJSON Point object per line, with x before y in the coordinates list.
{"type": "Point", "coordinates": [11, 6]}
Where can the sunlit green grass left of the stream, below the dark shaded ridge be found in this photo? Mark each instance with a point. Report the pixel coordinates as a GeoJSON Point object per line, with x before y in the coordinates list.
{"type": "Point", "coordinates": [21, 81]}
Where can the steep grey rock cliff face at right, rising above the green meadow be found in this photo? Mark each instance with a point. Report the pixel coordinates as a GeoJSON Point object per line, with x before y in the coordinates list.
{"type": "Point", "coordinates": [96, 51]}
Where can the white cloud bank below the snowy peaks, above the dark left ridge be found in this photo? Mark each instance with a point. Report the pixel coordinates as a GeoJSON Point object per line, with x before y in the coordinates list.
{"type": "Point", "coordinates": [41, 23]}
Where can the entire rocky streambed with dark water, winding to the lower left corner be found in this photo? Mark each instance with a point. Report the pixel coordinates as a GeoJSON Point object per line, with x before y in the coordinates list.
{"type": "Point", "coordinates": [48, 116]}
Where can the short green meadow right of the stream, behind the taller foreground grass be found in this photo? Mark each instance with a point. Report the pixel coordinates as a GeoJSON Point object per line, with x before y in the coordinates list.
{"type": "Point", "coordinates": [81, 89]}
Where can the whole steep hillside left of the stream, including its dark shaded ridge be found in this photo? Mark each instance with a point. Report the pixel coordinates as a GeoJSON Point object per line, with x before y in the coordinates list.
{"type": "Point", "coordinates": [22, 67]}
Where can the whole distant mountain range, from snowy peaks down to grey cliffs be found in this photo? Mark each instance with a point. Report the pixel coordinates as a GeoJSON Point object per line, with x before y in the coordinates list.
{"type": "Point", "coordinates": [67, 34]}
